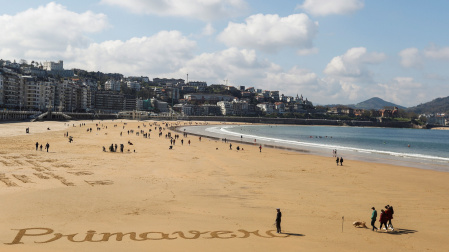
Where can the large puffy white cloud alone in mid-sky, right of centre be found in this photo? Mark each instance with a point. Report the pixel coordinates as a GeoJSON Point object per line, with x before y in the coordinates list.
{"type": "Point", "coordinates": [271, 33]}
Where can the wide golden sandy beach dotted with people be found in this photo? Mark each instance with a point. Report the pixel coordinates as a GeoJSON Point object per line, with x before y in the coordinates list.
{"type": "Point", "coordinates": [76, 195]}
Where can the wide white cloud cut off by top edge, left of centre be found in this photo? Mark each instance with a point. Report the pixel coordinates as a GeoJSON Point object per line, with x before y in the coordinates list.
{"type": "Point", "coordinates": [198, 9]}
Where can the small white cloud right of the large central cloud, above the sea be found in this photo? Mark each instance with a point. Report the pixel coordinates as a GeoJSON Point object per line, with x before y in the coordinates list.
{"type": "Point", "coordinates": [353, 63]}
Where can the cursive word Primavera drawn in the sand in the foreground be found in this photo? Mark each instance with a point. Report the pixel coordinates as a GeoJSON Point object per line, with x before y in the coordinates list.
{"type": "Point", "coordinates": [93, 236]}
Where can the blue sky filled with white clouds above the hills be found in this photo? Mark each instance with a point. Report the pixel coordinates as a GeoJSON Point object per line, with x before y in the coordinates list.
{"type": "Point", "coordinates": [330, 51]}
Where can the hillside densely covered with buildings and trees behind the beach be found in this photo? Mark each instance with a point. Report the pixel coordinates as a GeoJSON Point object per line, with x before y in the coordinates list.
{"type": "Point", "coordinates": [47, 86]}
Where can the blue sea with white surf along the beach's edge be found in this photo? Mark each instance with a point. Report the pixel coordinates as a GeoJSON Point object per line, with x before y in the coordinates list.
{"type": "Point", "coordinates": [419, 148]}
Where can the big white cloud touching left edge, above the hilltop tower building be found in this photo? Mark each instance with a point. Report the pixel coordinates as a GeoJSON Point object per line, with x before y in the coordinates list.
{"type": "Point", "coordinates": [46, 31]}
